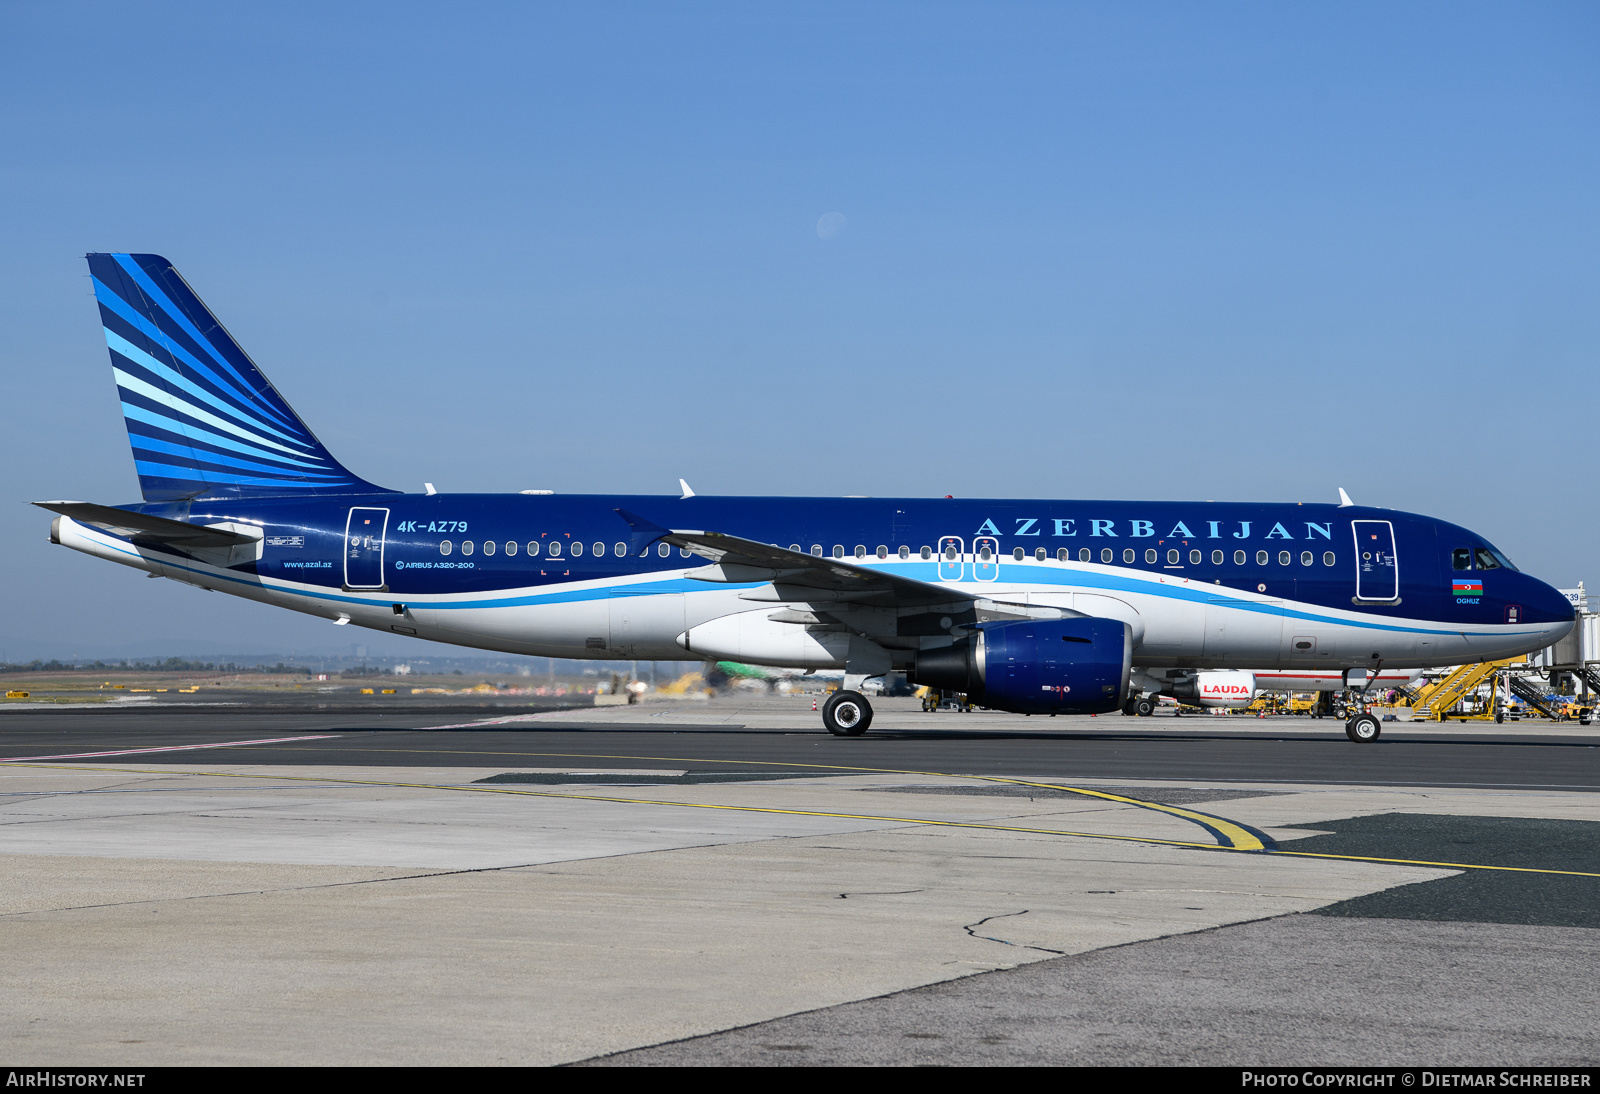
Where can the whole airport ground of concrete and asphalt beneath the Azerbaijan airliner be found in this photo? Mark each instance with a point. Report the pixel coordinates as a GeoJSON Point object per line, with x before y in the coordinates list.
{"type": "Point", "coordinates": [727, 884]}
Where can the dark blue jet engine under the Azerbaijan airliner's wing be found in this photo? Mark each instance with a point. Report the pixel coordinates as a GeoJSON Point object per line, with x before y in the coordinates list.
{"type": "Point", "coordinates": [1038, 666]}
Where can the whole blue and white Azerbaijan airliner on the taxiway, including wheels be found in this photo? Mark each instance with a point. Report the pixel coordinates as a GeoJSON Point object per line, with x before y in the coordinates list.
{"type": "Point", "coordinates": [1034, 607]}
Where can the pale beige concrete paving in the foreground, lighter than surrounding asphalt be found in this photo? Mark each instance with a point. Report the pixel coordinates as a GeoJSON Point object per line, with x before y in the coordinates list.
{"type": "Point", "coordinates": [198, 919]}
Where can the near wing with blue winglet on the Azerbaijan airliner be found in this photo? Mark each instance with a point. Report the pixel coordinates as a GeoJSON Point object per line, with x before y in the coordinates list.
{"type": "Point", "coordinates": [798, 577]}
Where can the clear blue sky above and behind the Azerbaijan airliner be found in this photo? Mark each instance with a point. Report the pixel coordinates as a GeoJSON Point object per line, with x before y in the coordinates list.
{"type": "Point", "coordinates": [1089, 250]}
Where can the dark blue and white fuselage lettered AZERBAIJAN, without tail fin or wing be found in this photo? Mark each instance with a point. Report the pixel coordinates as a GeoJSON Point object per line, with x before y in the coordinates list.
{"type": "Point", "coordinates": [1207, 585]}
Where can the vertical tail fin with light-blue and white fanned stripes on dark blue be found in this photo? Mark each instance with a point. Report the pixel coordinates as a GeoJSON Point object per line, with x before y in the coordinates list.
{"type": "Point", "coordinates": [202, 418]}
